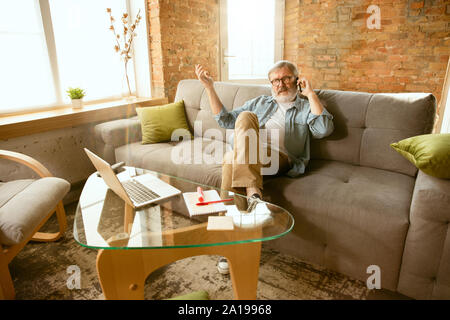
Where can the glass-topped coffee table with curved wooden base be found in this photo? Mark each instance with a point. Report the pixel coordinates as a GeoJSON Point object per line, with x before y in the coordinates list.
{"type": "Point", "coordinates": [133, 243]}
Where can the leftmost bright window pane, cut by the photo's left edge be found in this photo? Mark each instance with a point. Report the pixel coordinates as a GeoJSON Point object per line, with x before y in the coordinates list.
{"type": "Point", "coordinates": [25, 76]}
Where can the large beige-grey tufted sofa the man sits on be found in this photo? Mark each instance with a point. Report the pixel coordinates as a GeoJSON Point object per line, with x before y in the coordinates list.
{"type": "Point", "coordinates": [358, 204]}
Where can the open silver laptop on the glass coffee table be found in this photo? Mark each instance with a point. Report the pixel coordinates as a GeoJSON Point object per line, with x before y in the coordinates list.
{"type": "Point", "coordinates": [138, 191]}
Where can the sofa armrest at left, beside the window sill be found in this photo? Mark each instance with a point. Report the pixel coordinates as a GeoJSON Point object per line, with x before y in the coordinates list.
{"type": "Point", "coordinates": [112, 134]}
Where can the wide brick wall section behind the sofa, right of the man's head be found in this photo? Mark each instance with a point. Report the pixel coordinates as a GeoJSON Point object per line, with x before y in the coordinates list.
{"type": "Point", "coordinates": [332, 45]}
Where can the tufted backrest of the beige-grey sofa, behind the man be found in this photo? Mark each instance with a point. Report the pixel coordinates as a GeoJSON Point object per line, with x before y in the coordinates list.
{"type": "Point", "coordinates": [365, 123]}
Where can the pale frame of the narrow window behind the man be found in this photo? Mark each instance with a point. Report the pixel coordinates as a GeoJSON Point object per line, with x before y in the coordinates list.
{"type": "Point", "coordinates": [223, 41]}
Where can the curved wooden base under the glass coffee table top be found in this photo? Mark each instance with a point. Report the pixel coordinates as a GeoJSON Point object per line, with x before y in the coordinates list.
{"type": "Point", "coordinates": [122, 273]}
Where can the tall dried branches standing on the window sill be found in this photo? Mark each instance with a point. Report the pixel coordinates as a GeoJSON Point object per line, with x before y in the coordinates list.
{"type": "Point", "coordinates": [124, 40]}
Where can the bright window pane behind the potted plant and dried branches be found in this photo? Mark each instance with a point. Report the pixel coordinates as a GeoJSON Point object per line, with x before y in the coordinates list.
{"type": "Point", "coordinates": [85, 46]}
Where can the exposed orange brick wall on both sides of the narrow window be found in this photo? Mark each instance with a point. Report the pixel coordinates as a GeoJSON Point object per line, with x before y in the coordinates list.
{"type": "Point", "coordinates": [328, 40]}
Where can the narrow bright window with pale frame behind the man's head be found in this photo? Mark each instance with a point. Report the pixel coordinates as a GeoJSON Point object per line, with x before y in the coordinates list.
{"type": "Point", "coordinates": [251, 38]}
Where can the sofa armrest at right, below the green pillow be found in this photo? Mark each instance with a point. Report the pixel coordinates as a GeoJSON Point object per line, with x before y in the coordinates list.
{"type": "Point", "coordinates": [425, 271]}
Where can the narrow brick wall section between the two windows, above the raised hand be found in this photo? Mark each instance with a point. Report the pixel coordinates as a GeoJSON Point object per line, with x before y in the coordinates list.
{"type": "Point", "coordinates": [182, 34]}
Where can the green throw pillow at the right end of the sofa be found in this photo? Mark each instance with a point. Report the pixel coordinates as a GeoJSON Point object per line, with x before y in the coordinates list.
{"type": "Point", "coordinates": [429, 153]}
